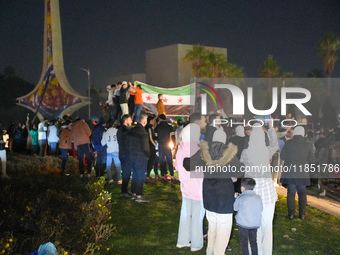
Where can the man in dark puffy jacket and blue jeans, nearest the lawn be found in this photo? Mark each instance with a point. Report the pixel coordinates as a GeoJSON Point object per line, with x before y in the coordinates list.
{"type": "Point", "coordinates": [139, 151]}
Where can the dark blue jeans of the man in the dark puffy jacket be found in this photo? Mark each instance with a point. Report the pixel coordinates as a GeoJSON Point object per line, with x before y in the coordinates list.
{"type": "Point", "coordinates": [138, 167]}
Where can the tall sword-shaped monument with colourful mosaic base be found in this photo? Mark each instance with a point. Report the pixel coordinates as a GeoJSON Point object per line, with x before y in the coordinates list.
{"type": "Point", "coordinates": [53, 96]}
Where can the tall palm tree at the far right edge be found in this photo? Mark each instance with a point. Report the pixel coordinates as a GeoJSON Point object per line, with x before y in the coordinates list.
{"type": "Point", "coordinates": [328, 51]}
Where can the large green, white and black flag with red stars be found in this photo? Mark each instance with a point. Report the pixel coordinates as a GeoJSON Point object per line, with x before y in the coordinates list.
{"type": "Point", "coordinates": [176, 100]}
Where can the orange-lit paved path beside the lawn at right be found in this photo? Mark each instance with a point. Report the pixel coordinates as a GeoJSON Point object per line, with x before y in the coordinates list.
{"type": "Point", "coordinates": [325, 204]}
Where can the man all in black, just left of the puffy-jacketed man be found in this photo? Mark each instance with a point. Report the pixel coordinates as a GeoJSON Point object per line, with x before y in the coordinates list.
{"type": "Point", "coordinates": [124, 153]}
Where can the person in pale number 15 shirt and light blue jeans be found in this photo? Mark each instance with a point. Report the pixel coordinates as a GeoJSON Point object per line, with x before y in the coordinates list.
{"type": "Point", "coordinates": [110, 140]}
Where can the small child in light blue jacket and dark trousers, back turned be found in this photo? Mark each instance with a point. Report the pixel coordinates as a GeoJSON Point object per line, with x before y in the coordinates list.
{"type": "Point", "coordinates": [248, 218]}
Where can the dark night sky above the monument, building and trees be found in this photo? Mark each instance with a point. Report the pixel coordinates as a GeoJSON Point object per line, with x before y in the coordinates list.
{"type": "Point", "coordinates": [111, 37]}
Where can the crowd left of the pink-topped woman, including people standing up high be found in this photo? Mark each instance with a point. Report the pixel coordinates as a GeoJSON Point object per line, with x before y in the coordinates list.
{"type": "Point", "coordinates": [133, 150]}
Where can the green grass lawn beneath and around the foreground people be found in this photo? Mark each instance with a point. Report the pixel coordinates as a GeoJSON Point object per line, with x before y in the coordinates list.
{"type": "Point", "coordinates": [151, 228]}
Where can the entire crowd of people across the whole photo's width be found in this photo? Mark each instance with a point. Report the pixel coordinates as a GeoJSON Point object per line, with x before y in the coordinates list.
{"type": "Point", "coordinates": [139, 143]}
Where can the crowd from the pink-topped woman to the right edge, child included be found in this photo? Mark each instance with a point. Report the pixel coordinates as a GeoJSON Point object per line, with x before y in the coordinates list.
{"type": "Point", "coordinates": [251, 193]}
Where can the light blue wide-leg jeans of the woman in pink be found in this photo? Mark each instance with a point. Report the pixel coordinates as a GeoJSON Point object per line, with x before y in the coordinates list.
{"type": "Point", "coordinates": [190, 223]}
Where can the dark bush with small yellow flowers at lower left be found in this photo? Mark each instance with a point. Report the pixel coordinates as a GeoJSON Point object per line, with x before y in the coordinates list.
{"type": "Point", "coordinates": [38, 205]}
